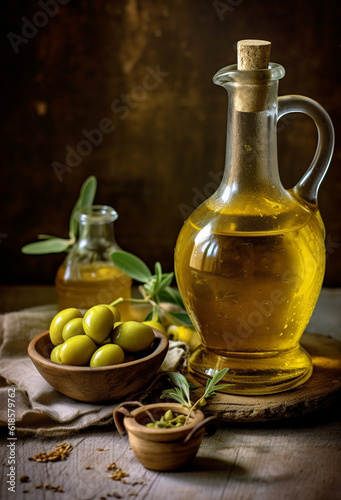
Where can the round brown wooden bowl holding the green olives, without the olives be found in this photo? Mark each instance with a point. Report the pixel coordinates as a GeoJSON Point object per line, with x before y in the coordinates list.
{"type": "Point", "coordinates": [103, 384]}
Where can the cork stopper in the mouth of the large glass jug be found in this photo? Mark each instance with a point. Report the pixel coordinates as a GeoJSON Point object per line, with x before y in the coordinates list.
{"type": "Point", "coordinates": [253, 54]}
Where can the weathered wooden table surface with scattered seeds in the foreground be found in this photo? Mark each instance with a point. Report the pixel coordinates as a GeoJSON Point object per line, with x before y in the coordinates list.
{"type": "Point", "coordinates": [289, 459]}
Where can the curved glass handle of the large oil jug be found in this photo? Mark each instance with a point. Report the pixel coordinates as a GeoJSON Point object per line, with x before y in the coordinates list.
{"type": "Point", "coordinates": [307, 188]}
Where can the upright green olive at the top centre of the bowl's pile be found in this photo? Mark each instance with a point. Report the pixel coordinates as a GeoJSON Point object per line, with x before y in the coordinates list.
{"type": "Point", "coordinates": [98, 322]}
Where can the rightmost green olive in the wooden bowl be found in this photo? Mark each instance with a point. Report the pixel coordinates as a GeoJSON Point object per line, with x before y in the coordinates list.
{"type": "Point", "coordinates": [133, 336]}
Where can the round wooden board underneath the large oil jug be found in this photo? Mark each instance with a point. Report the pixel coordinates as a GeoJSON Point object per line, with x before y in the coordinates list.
{"type": "Point", "coordinates": [319, 392]}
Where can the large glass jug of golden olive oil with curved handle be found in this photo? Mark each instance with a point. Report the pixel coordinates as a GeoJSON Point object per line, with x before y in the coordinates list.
{"type": "Point", "coordinates": [250, 260]}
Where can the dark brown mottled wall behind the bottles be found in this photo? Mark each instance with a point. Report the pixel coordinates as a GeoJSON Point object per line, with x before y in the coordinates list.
{"type": "Point", "coordinates": [87, 61]}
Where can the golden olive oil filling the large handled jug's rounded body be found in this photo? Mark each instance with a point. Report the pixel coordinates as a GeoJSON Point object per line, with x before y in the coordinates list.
{"type": "Point", "coordinates": [250, 296]}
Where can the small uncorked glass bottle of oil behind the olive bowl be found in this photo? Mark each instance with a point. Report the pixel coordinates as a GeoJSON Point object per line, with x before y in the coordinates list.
{"type": "Point", "coordinates": [87, 276]}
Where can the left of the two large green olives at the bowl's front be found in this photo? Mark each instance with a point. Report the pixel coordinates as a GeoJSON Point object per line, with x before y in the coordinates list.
{"type": "Point", "coordinates": [77, 350]}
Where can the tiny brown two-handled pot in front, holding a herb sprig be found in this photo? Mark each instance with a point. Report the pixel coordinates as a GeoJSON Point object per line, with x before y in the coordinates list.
{"type": "Point", "coordinates": [161, 449]}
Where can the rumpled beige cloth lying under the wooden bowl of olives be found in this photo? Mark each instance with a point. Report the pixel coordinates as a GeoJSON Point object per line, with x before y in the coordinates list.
{"type": "Point", "coordinates": [40, 409]}
